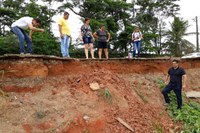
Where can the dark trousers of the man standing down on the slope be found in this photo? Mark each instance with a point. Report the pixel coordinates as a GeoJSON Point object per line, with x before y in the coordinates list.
{"type": "Point", "coordinates": [177, 88]}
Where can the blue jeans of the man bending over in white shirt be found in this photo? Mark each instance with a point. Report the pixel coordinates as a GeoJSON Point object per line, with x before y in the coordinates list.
{"type": "Point", "coordinates": [22, 36]}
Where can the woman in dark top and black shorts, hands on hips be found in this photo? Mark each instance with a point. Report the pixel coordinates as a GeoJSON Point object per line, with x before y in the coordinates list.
{"type": "Point", "coordinates": [103, 37]}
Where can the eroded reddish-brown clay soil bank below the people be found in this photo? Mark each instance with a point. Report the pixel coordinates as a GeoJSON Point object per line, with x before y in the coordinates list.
{"type": "Point", "coordinates": [58, 98]}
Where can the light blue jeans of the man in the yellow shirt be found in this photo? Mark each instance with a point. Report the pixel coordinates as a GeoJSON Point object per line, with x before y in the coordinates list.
{"type": "Point", "coordinates": [65, 46]}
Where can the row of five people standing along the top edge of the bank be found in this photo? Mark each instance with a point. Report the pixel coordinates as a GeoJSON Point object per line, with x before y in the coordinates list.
{"type": "Point", "coordinates": [87, 36]}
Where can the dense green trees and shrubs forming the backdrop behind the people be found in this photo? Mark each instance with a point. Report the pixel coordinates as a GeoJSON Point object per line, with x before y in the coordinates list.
{"type": "Point", "coordinates": [119, 16]}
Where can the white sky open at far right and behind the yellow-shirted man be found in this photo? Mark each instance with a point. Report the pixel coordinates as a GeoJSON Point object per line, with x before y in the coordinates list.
{"type": "Point", "coordinates": [189, 9]}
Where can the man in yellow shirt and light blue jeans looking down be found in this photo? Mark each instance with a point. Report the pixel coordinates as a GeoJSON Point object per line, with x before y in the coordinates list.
{"type": "Point", "coordinates": [65, 34]}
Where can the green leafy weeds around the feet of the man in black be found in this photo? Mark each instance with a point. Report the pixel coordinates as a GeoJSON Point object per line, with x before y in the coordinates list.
{"type": "Point", "coordinates": [189, 114]}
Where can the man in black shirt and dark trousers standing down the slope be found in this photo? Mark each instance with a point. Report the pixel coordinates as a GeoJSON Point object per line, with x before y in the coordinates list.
{"type": "Point", "coordinates": [177, 76]}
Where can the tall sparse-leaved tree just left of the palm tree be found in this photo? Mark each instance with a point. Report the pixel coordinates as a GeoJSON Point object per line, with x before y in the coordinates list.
{"type": "Point", "coordinates": [150, 17]}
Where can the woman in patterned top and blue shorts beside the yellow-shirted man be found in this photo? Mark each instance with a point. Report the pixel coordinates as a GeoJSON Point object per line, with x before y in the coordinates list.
{"type": "Point", "coordinates": [87, 37]}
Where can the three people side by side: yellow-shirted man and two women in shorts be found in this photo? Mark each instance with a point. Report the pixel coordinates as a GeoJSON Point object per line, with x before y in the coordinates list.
{"type": "Point", "coordinates": [86, 36]}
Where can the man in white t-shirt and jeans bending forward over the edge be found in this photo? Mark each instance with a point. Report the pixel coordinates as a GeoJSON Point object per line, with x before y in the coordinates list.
{"type": "Point", "coordinates": [19, 27]}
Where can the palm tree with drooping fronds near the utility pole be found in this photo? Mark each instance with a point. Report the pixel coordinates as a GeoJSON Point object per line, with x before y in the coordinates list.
{"type": "Point", "coordinates": [175, 41]}
